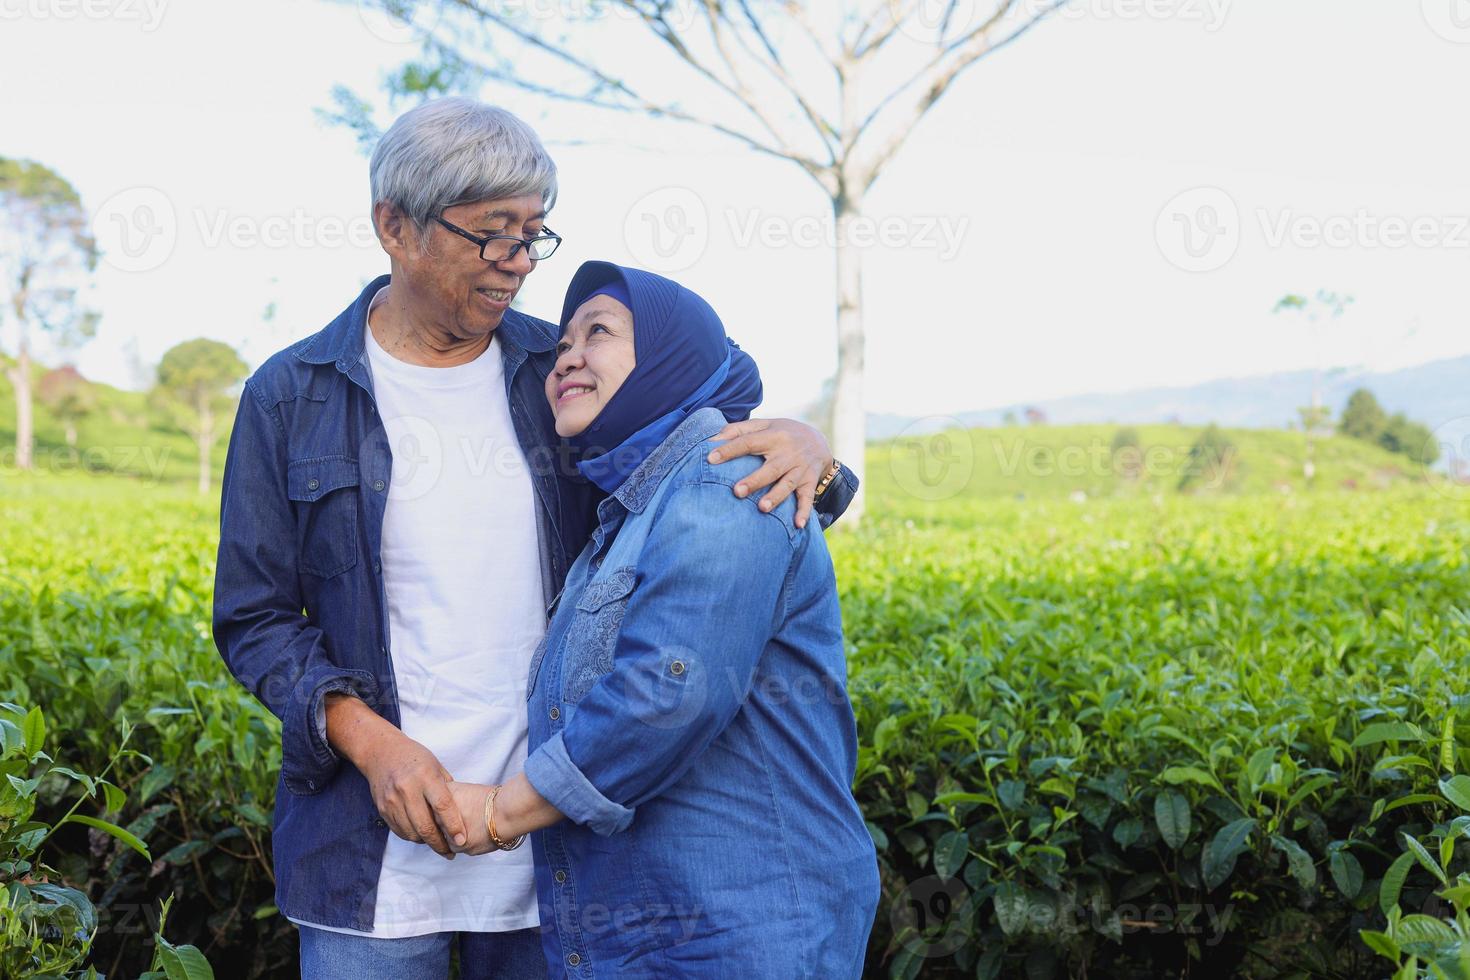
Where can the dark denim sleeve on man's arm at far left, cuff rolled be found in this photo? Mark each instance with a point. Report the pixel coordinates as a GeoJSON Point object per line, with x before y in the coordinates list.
{"type": "Point", "coordinates": [264, 637]}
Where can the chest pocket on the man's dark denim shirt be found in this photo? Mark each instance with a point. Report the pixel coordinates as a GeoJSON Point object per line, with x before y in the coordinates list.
{"type": "Point", "coordinates": [323, 490]}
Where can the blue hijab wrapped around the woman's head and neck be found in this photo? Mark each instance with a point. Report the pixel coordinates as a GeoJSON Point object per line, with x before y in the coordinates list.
{"type": "Point", "coordinates": [684, 364]}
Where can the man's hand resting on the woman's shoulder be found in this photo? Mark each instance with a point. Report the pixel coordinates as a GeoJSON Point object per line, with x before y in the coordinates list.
{"type": "Point", "coordinates": [797, 456]}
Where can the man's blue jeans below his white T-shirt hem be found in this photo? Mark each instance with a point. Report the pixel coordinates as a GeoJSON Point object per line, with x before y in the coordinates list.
{"type": "Point", "coordinates": [515, 956]}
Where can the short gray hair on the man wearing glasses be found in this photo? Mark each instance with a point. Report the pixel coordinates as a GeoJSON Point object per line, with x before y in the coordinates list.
{"type": "Point", "coordinates": [453, 152]}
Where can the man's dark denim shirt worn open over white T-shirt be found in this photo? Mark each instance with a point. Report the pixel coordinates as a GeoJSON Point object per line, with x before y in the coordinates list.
{"type": "Point", "coordinates": [299, 600]}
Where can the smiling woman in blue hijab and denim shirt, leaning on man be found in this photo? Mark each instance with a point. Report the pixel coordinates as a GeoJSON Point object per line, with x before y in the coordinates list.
{"type": "Point", "coordinates": [692, 740]}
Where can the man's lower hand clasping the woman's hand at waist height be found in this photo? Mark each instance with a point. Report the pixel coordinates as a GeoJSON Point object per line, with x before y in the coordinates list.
{"type": "Point", "coordinates": [409, 787]}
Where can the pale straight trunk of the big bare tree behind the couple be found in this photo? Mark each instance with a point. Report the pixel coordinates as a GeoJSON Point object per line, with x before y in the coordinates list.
{"type": "Point", "coordinates": [849, 414]}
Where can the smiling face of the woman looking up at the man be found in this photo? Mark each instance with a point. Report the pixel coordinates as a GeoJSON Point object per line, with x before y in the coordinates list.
{"type": "Point", "coordinates": [595, 358]}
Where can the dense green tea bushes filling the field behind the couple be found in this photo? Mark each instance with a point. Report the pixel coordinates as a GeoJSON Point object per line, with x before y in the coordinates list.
{"type": "Point", "coordinates": [1147, 738]}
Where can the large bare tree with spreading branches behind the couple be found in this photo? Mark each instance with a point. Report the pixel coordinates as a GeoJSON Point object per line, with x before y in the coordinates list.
{"type": "Point", "coordinates": [833, 89]}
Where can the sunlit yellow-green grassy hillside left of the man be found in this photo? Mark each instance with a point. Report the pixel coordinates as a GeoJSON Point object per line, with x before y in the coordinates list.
{"type": "Point", "coordinates": [123, 437]}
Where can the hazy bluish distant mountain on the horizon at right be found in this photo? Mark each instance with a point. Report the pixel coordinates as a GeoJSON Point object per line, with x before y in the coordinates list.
{"type": "Point", "coordinates": [1437, 394]}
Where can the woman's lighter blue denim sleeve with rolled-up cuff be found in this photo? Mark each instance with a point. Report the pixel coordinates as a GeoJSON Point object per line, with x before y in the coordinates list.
{"type": "Point", "coordinates": [689, 650]}
